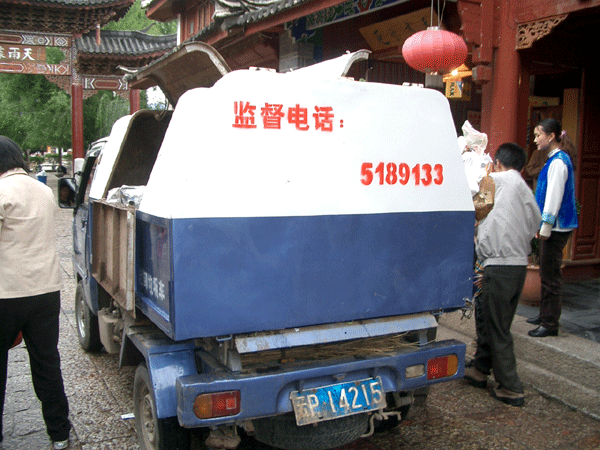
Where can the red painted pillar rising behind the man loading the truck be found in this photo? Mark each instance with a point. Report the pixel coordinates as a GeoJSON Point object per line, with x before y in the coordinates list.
{"type": "Point", "coordinates": [501, 95]}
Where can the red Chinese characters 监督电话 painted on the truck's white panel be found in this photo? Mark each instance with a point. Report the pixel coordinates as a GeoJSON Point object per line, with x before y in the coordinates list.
{"type": "Point", "coordinates": [271, 115]}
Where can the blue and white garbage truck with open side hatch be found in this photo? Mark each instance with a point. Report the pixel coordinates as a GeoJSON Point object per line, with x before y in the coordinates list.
{"type": "Point", "coordinates": [273, 252]}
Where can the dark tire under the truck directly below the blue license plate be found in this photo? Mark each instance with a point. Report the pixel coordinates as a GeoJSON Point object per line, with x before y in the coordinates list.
{"type": "Point", "coordinates": [282, 432]}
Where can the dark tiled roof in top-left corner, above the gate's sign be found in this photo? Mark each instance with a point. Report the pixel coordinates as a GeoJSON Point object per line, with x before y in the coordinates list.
{"type": "Point", "coordinates": [60, 16]}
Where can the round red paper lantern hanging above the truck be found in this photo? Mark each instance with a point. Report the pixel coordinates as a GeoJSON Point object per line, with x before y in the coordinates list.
{"type": "Point", "coordinates": [434, 50]}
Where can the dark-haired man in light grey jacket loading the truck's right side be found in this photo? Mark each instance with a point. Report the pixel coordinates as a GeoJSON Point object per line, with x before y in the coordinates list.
{"type": "Point", "coordinates": [503, 244]}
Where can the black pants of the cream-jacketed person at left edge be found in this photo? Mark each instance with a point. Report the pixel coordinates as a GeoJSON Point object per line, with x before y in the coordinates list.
{"type": "Point", "coordinates": [37, 318]}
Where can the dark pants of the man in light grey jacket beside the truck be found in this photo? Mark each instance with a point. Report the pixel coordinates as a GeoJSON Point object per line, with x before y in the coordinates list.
{"type": "Point", "coordinates": [495, 310]}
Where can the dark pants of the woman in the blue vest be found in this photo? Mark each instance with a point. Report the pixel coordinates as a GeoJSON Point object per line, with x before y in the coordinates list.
{"type": "Point", "coordinates": [550, 262]}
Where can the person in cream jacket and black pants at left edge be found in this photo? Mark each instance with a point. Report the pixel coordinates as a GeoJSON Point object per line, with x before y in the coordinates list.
{"type": "Point", "coordinates": [30, 283]}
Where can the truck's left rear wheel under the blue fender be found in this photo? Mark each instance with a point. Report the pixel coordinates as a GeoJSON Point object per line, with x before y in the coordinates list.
{"type": "Point", "coordinates": [154, 433]}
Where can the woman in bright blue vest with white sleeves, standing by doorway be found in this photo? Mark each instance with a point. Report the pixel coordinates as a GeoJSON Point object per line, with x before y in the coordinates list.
{"type": "Point", "coordinates": [555, 194]}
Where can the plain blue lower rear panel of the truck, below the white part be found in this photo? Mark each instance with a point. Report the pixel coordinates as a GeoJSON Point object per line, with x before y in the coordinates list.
{"type": "Point", "coordinates": [236, 275]}
